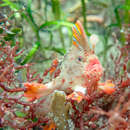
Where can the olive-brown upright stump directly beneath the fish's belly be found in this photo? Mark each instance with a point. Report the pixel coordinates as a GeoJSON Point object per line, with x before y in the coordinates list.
{"type": "Point", "coordinates": [60, 111]}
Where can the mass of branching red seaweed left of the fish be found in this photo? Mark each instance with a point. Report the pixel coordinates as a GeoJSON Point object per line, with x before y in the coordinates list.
{"type": "Point", "coordinates": [14, 111]}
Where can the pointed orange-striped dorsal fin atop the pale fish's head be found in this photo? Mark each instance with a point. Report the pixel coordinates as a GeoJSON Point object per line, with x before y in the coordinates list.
{"type": "Point", "coordinates": [79, 36]}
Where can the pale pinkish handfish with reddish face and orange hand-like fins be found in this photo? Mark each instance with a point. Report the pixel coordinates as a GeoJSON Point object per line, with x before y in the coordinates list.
{"type": "Point", "coordinates": [80, 69]}
